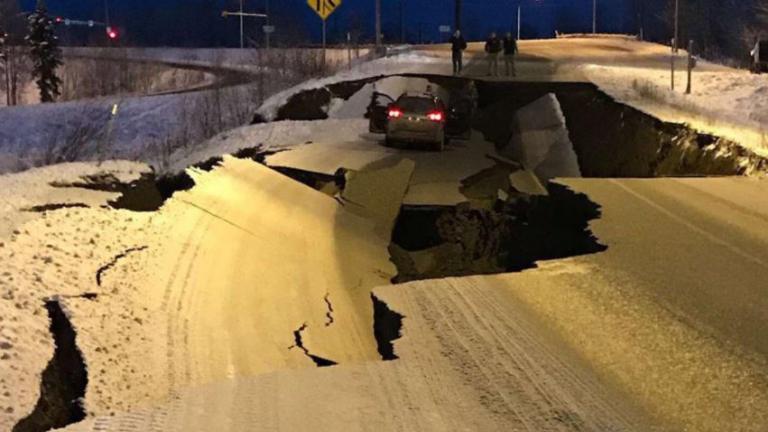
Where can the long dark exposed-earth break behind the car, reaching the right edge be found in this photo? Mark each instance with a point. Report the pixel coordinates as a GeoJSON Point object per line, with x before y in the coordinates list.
{"type": "Point", "coordinates": [611, 139]}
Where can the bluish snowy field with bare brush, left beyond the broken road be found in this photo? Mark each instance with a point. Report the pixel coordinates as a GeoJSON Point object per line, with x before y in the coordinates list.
{"type": "Point", "coordinates": [147, 128]}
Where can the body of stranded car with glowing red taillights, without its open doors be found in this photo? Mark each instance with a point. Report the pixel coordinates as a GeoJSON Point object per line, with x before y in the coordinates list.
{"type": "Point", "coordinates": [418, 119]}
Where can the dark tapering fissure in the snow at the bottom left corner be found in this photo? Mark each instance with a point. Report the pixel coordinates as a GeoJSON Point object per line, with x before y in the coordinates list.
{"type": "Point", "coordinates": [64, 380]}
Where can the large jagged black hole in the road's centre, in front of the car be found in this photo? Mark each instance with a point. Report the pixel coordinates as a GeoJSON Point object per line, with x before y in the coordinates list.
{"type": "Point", "coordinates": [493, 237]}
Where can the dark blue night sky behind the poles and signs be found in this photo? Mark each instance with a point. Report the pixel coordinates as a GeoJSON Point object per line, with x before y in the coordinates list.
{"type": "Point", "coordinates": [540, 18]}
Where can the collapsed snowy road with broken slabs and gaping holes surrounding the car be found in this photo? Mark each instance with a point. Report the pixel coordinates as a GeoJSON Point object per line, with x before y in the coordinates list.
{"type": "Point", "coordinates": [609, 304]}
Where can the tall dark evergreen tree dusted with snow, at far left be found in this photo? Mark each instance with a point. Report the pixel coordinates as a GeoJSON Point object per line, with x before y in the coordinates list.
{"type": "Point", "coordinates": [45, 52]}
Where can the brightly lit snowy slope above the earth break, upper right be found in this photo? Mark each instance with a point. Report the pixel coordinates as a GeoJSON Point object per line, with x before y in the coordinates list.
{"type": "Point", "coordinates": [724, 101]}
